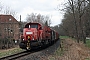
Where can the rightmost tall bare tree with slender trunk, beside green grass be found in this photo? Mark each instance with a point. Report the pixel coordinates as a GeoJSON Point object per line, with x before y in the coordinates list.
{"type": "Point", "coordinates": [81, 8]}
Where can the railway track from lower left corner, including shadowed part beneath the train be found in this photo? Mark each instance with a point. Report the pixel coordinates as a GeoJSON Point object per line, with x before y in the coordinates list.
{"type": "Point", "coordinates": [24, 53]}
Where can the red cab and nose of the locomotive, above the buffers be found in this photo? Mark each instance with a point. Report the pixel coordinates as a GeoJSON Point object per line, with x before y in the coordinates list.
{"type": "Point", "coordinates": [31, 31]}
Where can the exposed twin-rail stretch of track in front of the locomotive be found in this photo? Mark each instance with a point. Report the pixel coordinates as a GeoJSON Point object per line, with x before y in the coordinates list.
{"type": "Point", "coordinates": [16, 56]}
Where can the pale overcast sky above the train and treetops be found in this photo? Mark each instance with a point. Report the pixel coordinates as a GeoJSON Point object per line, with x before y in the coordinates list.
{"type": "Point", "coordinates": [44, 7]}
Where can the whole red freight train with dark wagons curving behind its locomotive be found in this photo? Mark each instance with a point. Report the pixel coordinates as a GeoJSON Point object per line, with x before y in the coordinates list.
{"type": "Point", "coordinates": [34, 34]}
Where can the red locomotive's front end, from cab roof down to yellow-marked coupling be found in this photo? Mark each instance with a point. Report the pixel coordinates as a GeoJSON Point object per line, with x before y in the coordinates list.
{"type": "Point", "coordinates": [32, 33]}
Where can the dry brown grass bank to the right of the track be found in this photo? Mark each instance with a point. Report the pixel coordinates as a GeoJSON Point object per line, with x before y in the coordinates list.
{"type": "Point", "coordinates": [73, 51]}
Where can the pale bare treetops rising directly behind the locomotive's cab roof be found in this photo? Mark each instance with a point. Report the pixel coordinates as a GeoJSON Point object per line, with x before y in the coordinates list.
{"type": "Point", "coordinates": [38, 18]}
